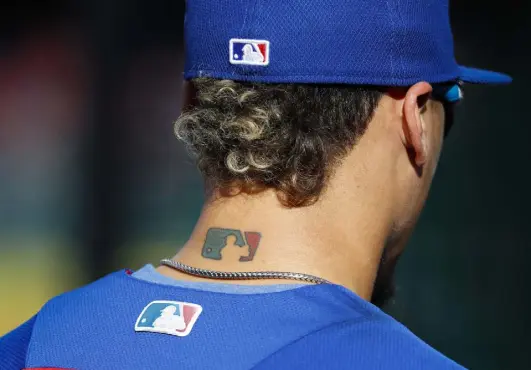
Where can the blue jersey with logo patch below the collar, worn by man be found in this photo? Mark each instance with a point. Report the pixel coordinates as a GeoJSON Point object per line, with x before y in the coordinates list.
{"type": "Point", "coordinates": [123, 322]}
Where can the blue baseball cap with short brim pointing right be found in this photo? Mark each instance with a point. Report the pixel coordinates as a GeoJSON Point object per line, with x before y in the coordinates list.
{"type": "Point", "coordinates": [362, 42]}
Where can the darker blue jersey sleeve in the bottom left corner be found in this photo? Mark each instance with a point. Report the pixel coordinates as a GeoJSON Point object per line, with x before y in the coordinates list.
{"type": "Point", "coordinates": [14, 346]}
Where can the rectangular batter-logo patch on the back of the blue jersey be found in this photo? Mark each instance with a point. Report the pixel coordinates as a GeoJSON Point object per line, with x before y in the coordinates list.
{"type": "Point", "coordinates": [168, 317]}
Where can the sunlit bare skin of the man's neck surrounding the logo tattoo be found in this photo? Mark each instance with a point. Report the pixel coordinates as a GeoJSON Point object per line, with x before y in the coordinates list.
{"type": "Point", "coordinates": [339, 238]}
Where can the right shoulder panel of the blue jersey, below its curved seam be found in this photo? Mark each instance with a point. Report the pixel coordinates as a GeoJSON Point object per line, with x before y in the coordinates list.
{"type": "Point", "coordinates": [379, 343]}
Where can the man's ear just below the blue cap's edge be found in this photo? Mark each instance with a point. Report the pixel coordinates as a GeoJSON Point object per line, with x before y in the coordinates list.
{"type": "Point", "coordinates": [415, 139]}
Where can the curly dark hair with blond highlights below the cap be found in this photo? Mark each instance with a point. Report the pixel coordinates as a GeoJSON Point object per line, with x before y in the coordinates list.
{"type": "Point", "coordinates": [288, 137]}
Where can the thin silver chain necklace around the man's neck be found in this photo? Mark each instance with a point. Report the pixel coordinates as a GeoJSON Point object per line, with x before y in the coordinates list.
{"type": "Point", "coordinates": [212, 274]}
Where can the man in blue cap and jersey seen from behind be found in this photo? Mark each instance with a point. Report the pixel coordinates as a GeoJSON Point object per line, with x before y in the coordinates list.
{"type": "Point", "coordinates": [317, 159]}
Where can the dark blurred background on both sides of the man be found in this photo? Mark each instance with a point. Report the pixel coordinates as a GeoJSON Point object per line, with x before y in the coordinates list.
{"type": "Point", "coordinates": [92, 179]}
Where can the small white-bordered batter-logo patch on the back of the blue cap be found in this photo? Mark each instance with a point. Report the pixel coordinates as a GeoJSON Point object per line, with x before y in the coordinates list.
{"type": "Point", "coordinates": [249, 52]}
